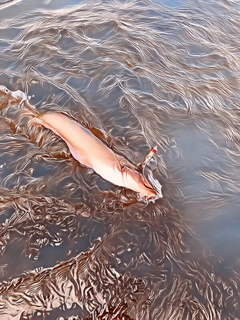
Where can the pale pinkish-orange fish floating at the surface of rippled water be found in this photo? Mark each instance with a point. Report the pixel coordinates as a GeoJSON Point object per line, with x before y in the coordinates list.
{"type": "Point", "coordinates": [90, 151]}
